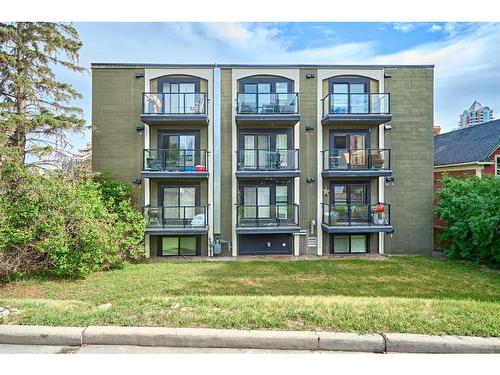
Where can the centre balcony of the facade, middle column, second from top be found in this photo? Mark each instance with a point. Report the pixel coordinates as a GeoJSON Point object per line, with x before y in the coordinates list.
{"type": "Point", "coordinates": [255, 163]}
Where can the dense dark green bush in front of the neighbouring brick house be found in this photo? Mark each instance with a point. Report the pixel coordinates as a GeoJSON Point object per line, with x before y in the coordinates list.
{"type": "Point", "coordinates": [471, 208]}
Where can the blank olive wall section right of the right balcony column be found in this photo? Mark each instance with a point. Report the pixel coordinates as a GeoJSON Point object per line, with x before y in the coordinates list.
{"type": "Point", "coordinates": [412, 153]}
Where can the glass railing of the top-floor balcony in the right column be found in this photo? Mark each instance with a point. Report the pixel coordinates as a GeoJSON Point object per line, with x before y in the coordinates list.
{"type": "Point", "coordinates": [357, 104]}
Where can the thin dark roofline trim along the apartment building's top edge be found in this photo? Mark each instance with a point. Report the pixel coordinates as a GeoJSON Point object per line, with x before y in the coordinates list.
{"type": "Point", "coordinates": [143, 65]}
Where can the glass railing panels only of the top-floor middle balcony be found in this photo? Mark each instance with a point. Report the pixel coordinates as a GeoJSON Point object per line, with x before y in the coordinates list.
{"type": "Point", "coordinates": [265, 103]}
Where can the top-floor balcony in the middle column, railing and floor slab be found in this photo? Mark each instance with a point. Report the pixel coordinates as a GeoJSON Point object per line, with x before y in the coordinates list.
{"type": "Point", "coordinates": [267, 109]}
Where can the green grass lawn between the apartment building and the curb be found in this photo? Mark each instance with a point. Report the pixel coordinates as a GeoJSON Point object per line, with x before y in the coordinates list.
{"type": "Point", "coordinates": [418, 295]}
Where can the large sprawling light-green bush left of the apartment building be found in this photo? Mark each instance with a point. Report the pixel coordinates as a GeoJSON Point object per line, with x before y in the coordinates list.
{"type": "Point", "coordinates": [65, 227]}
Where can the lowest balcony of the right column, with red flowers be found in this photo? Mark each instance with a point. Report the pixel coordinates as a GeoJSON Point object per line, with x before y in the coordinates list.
{"type": "Point", "coordinates": [356, 218]}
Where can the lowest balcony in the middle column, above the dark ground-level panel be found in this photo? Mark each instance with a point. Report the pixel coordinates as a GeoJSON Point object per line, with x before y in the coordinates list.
{"type": "Point", "coordinates": [281, 218]}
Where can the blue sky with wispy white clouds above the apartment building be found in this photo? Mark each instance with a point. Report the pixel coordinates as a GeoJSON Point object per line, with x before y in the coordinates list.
{"type": "Point", "coordinates": [465, 55]}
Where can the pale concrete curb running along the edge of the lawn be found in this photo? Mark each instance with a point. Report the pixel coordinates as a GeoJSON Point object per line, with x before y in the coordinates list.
{"type": "Point", "coordinates": [241, 339]}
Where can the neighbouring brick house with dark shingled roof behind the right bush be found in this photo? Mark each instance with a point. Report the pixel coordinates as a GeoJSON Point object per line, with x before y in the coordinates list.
{"type": "Point", "coordinates": [469, 152]}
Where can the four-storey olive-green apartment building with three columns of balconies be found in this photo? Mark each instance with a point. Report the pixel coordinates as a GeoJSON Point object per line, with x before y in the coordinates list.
{"type": "Point", "coordinates": [271, 159]}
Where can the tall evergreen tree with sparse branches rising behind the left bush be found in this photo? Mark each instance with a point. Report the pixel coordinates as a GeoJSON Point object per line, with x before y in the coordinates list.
{"type": "Point", "coordinates": [35, 108]}
